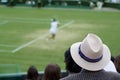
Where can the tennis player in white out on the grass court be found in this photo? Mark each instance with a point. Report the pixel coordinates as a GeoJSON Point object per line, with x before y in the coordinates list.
{"type": "Point", "coordinates": [53, 29]}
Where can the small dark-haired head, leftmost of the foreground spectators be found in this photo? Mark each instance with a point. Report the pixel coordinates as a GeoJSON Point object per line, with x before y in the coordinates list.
{"type": "Point", "coordinates": [32, 73]}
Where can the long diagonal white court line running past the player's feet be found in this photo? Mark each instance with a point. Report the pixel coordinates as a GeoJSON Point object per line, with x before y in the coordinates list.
{"type": "Point", "coordinates": [29, 43]}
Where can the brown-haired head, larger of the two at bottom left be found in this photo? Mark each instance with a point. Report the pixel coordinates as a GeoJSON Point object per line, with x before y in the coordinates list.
{"type": "Point", "coordinates": [52, 72]}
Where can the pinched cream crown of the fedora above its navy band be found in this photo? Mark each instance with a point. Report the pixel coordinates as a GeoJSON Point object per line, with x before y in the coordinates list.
{"type": "Point", "coordinates": [92, 46]}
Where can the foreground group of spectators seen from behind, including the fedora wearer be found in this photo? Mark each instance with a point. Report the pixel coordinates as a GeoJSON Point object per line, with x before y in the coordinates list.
{"type": "Point", "coordinates": [89, 59]}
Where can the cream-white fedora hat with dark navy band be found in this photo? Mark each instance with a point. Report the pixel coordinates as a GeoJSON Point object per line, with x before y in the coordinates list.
{"type": "Point", "coordinates": [91, 54]}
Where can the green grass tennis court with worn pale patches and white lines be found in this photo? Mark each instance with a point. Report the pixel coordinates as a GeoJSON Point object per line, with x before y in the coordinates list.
{"type": "Point", "coordinates": [24, 32]}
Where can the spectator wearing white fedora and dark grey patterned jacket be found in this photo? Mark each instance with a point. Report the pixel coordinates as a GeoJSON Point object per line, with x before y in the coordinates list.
{"type": "Point", "coordinates": [92, 55]}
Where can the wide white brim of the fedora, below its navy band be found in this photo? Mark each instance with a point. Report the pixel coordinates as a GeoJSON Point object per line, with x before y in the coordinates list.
{"type": "Point", "coordinates": [89, 65]}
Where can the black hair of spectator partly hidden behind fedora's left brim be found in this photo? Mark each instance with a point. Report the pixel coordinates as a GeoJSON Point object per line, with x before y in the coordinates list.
{"type": "Point", "coordinates": [71, 66]}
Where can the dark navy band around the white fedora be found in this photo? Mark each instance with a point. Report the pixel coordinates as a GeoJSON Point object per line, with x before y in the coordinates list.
{"type": "Point", "coordinates": [88, 59]}
